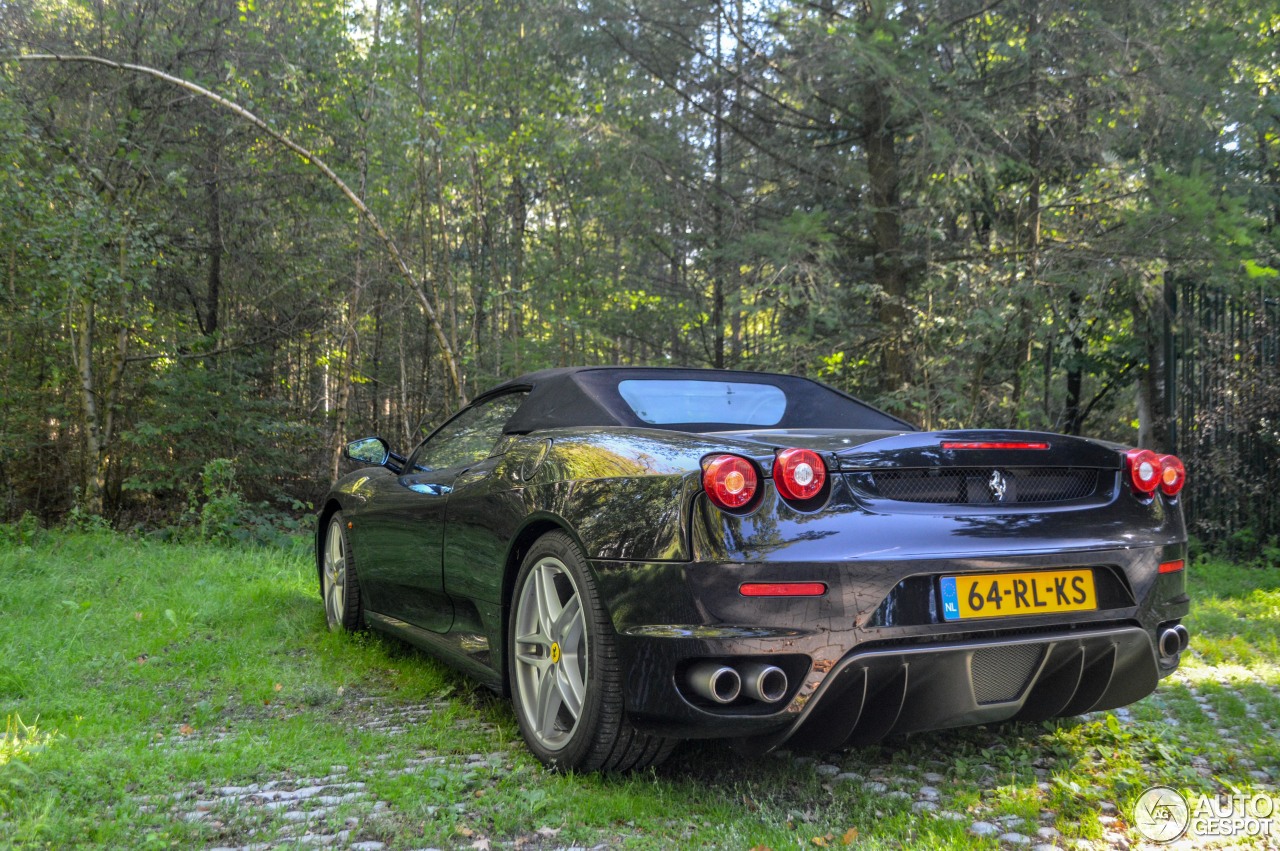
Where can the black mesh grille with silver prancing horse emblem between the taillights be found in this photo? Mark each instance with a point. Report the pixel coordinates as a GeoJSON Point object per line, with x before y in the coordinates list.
{"type": "Point", "coordinates": [981, 486]}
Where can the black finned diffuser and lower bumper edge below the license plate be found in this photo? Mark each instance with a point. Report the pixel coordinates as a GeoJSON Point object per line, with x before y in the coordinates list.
{"type": "Point", "coordinates": [875, 692]}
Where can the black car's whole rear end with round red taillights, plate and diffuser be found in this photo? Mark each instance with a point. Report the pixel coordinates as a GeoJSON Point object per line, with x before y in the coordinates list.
{"type": "Point", "coordinates": [930, 580]}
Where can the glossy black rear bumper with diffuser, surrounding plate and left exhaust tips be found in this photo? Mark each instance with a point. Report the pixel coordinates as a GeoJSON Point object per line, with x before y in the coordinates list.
{"type": "Point", "coordinates": [857, 675]}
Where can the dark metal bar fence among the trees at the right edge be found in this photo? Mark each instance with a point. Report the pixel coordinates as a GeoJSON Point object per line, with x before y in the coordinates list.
{"type": "Point", "coordinates": [1223, 360]}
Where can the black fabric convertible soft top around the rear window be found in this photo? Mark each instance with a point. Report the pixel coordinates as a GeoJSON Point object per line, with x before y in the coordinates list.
{"type": "Point", "coordinates": [588, 396]}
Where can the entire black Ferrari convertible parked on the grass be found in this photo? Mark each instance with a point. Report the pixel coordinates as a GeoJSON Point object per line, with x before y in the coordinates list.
{"type": "Point", "coordinates": [642, 556]}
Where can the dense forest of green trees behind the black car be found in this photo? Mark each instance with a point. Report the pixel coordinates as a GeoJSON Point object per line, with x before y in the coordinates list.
{"type": "Point", "coordinates": [973, 213]}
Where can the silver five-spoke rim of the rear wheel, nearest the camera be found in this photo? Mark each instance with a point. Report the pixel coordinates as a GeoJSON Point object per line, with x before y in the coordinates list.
{"type": "Point", "coordinates": [551, 653]}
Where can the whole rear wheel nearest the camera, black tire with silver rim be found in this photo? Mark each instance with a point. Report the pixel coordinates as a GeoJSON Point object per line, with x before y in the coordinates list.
{"type": "Point", "coordinates": [566, 680]}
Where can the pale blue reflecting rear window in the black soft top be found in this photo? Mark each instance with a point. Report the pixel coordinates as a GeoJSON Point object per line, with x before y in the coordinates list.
{"type": "Point", "coordinates": [670, 401]}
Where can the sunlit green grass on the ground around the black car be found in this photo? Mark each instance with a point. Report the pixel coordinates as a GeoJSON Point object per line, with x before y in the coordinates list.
{"type": "Point", "coordinates": [138, 679]}
